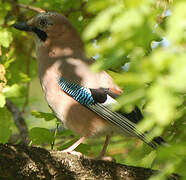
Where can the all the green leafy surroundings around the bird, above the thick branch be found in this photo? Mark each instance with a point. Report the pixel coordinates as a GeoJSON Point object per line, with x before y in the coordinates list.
{"type": "Point", "coordinates": [142, 44]}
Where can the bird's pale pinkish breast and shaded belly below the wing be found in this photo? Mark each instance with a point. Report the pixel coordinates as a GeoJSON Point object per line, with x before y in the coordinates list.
{"type": "Point", "coordinates": [73, 115]}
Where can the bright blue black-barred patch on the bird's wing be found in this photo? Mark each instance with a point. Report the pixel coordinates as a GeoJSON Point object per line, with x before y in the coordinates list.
{"type": "Point", "coordinates": [77, 92]}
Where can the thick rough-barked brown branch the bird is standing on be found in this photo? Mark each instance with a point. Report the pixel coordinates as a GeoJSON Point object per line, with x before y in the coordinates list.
{"type": "Point", "coordinates": [19, 162]}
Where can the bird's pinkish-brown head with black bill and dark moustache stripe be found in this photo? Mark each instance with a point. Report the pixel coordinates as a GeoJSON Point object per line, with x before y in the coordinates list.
{"type": "Point", "coordinates": [52, 29]}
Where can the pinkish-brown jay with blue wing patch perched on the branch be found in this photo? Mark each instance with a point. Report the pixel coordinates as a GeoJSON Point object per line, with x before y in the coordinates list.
{"type": "Point", "coordinates": [80, 98]}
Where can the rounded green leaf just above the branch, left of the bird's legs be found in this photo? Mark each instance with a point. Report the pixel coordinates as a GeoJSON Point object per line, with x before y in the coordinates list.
{"type": "Point", "coordinates": [41, 135]}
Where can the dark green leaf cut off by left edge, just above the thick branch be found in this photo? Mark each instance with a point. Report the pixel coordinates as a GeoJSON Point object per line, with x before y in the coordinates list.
{"type": "Point", "coordinates": [5, 125]}
